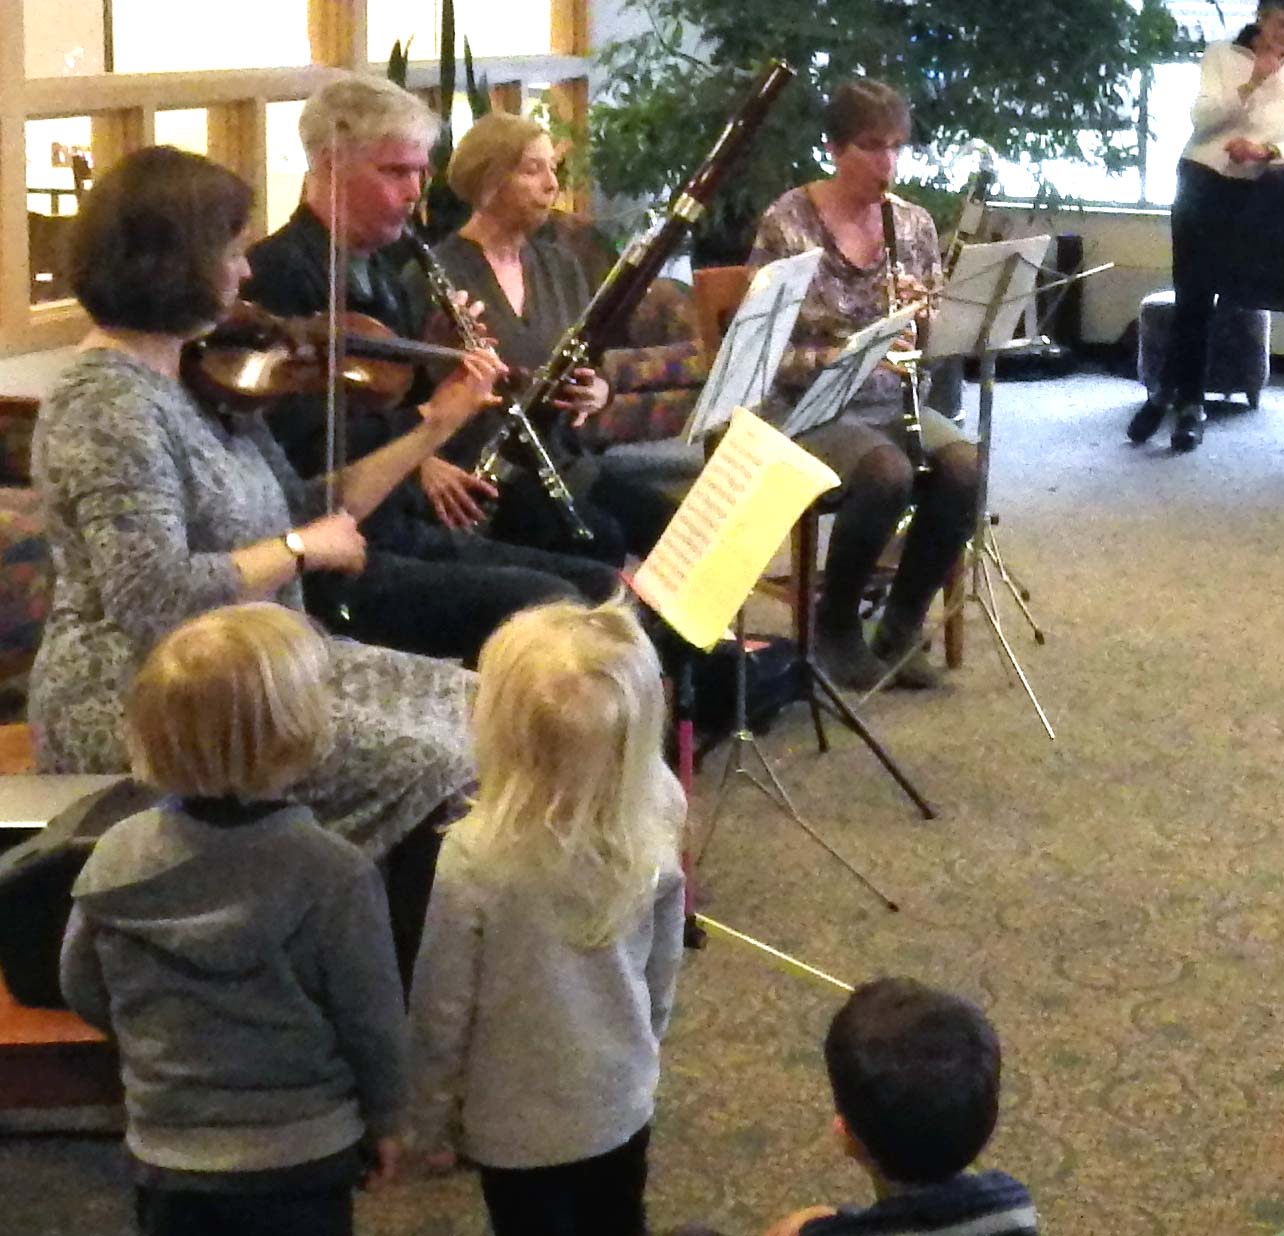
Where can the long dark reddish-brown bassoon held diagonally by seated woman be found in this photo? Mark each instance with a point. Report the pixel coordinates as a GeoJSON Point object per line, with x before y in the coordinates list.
{"type": "Point", "coordinates": [644, 257]}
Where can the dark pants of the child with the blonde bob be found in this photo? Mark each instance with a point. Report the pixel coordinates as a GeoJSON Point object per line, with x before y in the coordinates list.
{"type": "Point", "coordinates": [162, 1212]}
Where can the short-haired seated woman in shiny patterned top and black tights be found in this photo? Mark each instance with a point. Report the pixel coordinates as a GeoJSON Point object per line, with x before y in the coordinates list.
{"type": "Point", "coordinates": [867, 124]}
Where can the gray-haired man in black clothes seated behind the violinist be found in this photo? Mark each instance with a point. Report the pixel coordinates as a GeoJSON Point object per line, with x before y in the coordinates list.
{"type": "Point", "coordinates": [433, 582]}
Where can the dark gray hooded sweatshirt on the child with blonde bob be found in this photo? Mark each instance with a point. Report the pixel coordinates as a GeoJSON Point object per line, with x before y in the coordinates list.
{"type": "Point", "coordinates": [248, 977]}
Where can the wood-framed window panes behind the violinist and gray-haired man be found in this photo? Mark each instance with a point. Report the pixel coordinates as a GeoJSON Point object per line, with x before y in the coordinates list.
{"type": "Point", "coordinates": [102, 78]}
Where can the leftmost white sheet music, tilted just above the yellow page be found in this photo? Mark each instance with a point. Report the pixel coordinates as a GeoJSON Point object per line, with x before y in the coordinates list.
{"type": "Point", "coordinates": [756, 339]}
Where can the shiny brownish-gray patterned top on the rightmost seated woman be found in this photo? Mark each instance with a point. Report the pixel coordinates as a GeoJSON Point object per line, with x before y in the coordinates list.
{"type": "Point", "coordinates": [843, 297]}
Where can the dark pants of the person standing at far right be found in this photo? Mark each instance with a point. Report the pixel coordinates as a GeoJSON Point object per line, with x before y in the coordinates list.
{"type": "Point", "coordinates": [1205, 218]}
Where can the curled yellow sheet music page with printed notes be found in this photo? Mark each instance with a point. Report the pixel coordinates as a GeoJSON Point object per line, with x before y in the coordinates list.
{"type": "Point", "coordinates": [729, 528]}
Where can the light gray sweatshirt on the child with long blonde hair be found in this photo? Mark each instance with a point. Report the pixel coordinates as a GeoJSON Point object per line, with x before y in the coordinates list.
{"type": "Point", "coordinates": [542, 1052]}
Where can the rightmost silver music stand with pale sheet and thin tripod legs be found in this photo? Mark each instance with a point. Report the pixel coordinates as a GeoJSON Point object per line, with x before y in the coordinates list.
{"type": "Point", "coordinates": [984, 301]}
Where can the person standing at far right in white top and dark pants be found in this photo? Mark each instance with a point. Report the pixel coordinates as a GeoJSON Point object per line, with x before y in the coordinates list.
{"type": "Point", "coordinates": [1238, 120]}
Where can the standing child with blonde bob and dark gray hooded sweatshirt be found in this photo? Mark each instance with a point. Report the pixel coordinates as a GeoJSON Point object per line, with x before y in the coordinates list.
{"type": "Point", "coordinates": [239, 954]}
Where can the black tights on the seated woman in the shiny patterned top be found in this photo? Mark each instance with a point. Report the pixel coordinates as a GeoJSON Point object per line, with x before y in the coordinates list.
{"type": "Point", "coordinates": [875, 496]}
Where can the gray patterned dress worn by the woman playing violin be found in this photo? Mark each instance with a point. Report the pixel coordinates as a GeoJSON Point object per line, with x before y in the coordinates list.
{"type": "Point", "coordinates": [146, 497]}
